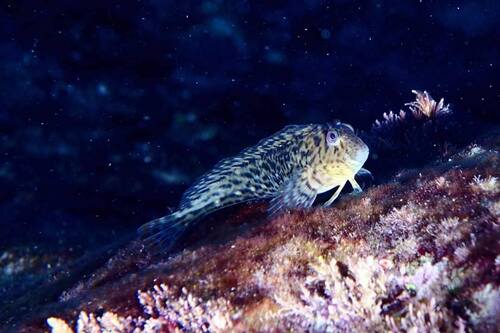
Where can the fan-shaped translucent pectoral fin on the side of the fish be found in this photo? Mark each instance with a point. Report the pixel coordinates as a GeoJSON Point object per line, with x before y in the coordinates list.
{"type": "Point", "coordinates": [295, 193]}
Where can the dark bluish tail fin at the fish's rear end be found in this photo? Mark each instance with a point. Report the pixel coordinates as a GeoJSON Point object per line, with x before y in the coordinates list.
{"type": "Point", "coordinates": [160, 235]}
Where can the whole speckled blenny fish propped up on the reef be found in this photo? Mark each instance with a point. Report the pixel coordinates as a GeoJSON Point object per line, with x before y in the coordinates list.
{"type": "Point", "coordinates": [290, 168]}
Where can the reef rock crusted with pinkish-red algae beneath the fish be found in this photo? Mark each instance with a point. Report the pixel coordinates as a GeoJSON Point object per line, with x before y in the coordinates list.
{"type": "Point", "coordinates": [418, 251]}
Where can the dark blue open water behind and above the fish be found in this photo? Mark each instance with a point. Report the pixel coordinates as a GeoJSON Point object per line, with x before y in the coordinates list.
{"type": "Point", "coordinates": [110, 109]}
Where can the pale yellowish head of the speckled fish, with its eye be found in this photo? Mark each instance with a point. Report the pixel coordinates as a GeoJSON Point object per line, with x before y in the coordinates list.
{"type": "Point", "coordinates": [346, 152]}
